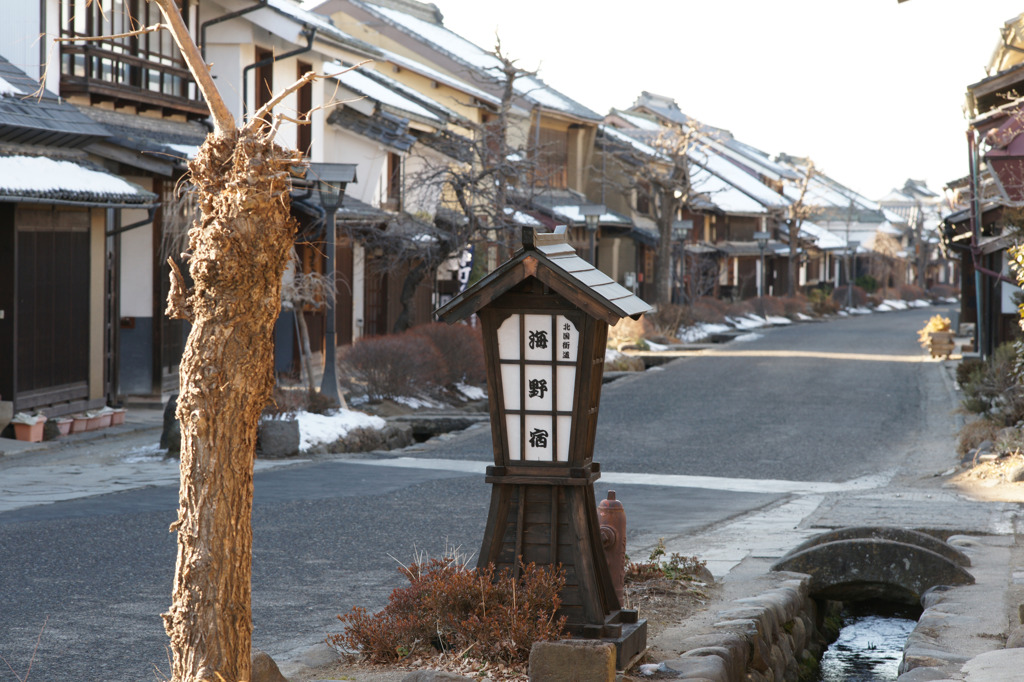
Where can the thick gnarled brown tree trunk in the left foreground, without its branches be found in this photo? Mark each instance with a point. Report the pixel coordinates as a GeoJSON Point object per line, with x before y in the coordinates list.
{"type": "Point", "coordinates": [239, 252]}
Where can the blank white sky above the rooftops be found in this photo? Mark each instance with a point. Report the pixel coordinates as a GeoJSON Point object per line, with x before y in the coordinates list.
{"type": "Point", "coordinates": [873, 91]}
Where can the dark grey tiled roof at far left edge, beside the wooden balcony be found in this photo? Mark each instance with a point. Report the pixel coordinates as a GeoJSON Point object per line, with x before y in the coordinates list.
{"type": "Point", "coordinates": [28, 117]}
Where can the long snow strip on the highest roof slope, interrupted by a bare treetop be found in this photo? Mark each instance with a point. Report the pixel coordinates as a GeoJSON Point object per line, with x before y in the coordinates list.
{"type": "Point", "coordinates": [473, 56]}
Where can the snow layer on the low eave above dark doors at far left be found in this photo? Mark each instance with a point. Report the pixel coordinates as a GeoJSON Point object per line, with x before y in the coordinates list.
{"type": "Point", "coordinates": [21, 176]}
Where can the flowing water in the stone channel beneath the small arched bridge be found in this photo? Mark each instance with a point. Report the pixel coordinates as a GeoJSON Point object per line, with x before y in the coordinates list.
{"type": "Point", "coordinates": [871, 645]}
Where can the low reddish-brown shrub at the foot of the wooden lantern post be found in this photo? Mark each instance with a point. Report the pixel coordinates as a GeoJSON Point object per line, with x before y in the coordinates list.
{"type": "Point", "coordinates": [449, 608]}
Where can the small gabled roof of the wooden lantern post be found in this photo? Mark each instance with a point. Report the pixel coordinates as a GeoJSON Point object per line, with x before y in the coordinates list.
{"type": "Point", "coordinates": [549, 258]}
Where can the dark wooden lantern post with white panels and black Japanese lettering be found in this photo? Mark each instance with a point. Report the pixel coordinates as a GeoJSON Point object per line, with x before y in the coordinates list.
{"type": "Point", "coordinates": [545, 316]}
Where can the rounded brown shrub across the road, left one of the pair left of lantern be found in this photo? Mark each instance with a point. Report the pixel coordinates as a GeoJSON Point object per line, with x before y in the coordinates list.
{"type": "Point", "coordinates": [392, 367]}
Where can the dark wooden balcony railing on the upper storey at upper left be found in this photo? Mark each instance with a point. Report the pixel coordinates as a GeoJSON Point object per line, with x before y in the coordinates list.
{"type": "Point", "coordinates": [109, 75]}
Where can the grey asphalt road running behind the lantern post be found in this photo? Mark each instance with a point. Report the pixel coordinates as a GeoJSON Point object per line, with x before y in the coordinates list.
{"type": "Point", "coordinates": [843, 401]}
